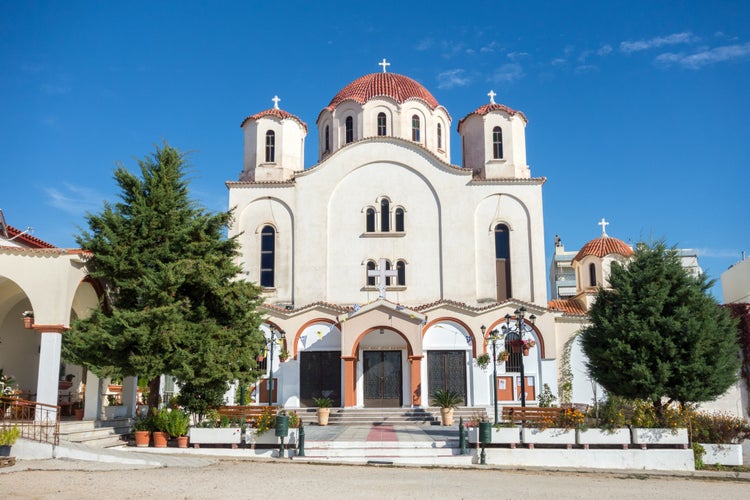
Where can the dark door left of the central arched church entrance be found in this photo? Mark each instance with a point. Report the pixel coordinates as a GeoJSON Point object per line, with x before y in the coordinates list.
{"type": "Point", "coordinates": [319, 375]}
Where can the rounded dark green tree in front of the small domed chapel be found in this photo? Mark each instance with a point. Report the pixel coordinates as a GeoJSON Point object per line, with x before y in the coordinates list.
{"type": "Point", "coordinates": [657, 333]}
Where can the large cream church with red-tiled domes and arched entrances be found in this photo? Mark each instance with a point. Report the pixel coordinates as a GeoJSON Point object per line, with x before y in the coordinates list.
{"type": "Point", "coordinates": [388, 271]}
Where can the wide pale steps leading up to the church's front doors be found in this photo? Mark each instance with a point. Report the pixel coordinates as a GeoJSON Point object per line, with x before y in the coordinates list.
{"type": "Point", "coordinates": [390, 416]}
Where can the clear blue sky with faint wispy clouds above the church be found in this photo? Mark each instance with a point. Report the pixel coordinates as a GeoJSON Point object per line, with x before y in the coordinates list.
{"type": "Point", "coordinates": [638, 111]}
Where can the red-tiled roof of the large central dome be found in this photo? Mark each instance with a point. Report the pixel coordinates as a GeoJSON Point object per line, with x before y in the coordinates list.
{"type": "Point", "coordinates": [398, 87]}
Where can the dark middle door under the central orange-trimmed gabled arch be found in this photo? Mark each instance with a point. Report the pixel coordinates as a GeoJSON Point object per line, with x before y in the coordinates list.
{"type": "Point", "coordinates": [382, 379]}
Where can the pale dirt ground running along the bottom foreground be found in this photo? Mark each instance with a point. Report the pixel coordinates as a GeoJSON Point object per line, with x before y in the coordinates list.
{"type": "Point", "coordinates": [244, 479]}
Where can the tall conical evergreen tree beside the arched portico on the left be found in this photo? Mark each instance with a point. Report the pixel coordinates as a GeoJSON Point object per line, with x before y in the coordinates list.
{"type": "Point", "coordinates": [172, 302]}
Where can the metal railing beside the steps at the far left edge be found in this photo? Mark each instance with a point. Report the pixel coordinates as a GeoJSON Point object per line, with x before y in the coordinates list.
{"type": "Point", "coordinates": [37, 421]}
